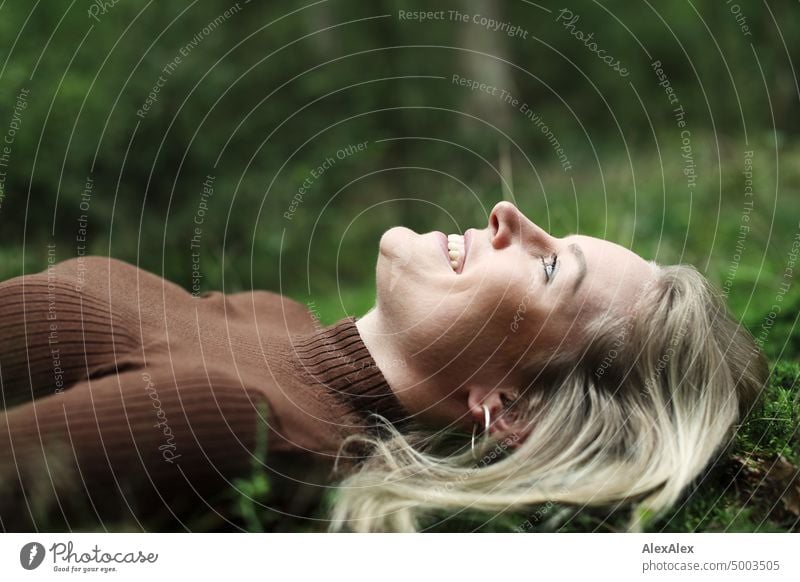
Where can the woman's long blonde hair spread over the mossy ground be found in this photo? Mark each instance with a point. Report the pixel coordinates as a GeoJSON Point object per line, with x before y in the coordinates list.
{"type": "Point", "coordinates": [650, 402]}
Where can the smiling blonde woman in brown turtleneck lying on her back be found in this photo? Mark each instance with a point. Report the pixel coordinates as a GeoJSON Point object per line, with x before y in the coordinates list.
{"type": "Point", "coordinates": [592, 376]}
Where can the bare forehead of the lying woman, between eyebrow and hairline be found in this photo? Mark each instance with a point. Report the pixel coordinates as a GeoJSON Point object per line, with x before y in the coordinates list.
{"type": "Point", "coordinates": [615, 275]}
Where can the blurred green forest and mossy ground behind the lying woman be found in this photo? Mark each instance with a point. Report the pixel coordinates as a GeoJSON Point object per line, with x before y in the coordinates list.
{"type": "Point", "coordinates": [119, 113]}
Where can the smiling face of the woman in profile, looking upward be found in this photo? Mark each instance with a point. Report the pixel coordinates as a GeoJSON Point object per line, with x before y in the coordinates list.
{"type": "Point", "coordinates": [476, 309]}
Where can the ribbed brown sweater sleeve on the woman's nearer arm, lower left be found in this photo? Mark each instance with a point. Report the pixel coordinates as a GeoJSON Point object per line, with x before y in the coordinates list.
{"type": "Point", "coordinates": [144, 443]}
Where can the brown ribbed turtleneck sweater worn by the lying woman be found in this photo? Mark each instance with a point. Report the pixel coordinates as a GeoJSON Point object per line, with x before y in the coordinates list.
{"type": "Point", "coordinates": [126, 398]}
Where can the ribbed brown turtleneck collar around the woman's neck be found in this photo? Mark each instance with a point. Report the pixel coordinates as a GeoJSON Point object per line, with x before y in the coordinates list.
{"type": "Point", "coordinates": [337, 358]}
